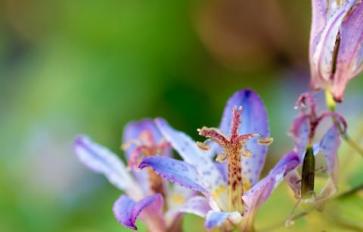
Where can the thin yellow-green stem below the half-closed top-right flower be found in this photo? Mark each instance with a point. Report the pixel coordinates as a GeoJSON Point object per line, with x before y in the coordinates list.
{"type": "Point", "coordinates": [331, 105]}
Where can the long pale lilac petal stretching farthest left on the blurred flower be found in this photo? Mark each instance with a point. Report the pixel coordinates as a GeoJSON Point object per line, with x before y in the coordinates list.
{"type": "Point", "coordinates": [102, 160]}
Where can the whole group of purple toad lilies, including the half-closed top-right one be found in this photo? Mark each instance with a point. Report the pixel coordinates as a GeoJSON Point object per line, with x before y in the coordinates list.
{"type": "Point", "coordinates": [220, 179]}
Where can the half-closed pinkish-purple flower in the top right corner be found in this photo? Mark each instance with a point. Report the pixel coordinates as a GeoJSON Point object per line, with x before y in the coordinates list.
{"type": "Point", "coordinates": [336, 44]}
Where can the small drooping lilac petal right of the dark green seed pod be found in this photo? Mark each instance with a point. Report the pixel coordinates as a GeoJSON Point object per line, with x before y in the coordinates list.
{"type": "Point", "coordinates": [329, 145]}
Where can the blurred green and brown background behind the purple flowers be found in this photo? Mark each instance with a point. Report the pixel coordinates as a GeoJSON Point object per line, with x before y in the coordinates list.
{"type": "Point", "coordinates": [70, 67]}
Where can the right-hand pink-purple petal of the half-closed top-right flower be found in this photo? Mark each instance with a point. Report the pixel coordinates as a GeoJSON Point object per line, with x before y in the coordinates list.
{"type": "Point", "coordinates": [349, 60]}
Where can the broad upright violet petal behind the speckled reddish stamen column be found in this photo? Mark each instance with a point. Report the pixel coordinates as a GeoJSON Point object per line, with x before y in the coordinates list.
{"type": "Point", "coordinates": [254, 119]}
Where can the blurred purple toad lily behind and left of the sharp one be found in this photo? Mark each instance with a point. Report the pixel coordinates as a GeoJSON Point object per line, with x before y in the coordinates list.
{"type": "Point", "coordinates": [144, 190]}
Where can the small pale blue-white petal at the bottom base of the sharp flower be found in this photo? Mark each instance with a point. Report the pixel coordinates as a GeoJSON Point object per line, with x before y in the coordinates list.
{"type": "Point", "coordinates": [217, 218]}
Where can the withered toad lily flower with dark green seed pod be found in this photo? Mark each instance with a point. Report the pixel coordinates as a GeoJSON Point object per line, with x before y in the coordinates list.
{"type": "Point", "coordinates": [304, 132]}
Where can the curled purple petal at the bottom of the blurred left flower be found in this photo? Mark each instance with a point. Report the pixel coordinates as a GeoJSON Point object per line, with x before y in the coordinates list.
{"type": "Point", "coordinates": [127, 211]}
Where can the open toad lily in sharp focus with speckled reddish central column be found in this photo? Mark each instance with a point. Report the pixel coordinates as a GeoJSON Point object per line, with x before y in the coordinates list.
{"type": "Point", "coordinates": [230, 192]}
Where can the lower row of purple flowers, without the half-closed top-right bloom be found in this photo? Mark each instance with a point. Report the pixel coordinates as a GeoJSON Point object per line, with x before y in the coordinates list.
{"type": "Point", "coordinates": [227, 191]}
